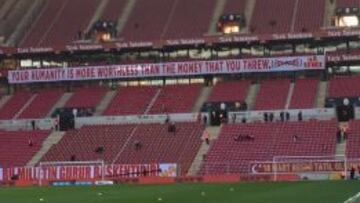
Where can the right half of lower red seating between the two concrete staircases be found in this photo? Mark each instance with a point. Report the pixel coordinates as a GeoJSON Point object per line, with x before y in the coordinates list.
{"type": "Point", "coordinates": [161, 146]}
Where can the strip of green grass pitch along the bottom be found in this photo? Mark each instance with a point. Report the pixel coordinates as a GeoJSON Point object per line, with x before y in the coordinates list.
{"type": "Point", "coordinates": [297, 192]}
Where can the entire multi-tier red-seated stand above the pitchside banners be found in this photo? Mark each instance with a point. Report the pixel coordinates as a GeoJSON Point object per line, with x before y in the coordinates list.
{"type": "Point", "coordinates": [162, 64]}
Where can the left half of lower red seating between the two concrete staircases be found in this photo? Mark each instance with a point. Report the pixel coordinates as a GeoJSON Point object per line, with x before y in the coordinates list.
{"type": "Point", "coordinates": [83, 143]}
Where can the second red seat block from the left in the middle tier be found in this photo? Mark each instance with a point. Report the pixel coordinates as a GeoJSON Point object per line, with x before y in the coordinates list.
{"type": "Point", "coordinates": [42, 104]}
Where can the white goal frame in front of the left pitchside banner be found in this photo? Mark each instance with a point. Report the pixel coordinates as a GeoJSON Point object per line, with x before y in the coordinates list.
{"type": "Point", "coordinates": [52, 170]}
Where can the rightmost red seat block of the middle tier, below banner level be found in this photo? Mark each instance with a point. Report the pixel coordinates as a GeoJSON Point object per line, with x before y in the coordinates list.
{"type": "Point", "coordinates": [344, 86]}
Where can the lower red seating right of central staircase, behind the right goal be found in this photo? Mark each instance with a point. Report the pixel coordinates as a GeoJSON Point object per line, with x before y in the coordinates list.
{"type": "Point", "coordinates": [315, 138]}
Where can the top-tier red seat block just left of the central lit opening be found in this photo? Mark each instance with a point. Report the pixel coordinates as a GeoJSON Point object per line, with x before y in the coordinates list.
{"type": "Point", "coordinates": [189, 19]}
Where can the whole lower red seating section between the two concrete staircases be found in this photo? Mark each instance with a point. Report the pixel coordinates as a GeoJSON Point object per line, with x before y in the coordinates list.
{"type": "Point", "coordinates": [158, 145]}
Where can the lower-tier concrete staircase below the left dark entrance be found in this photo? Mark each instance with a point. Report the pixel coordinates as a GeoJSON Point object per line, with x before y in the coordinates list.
{"type": "Point", "coordinates": [53, 139]}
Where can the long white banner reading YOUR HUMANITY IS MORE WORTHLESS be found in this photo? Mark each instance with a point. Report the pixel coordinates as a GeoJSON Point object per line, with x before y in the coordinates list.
{"type": "Point", "coordinates": [185, 68]}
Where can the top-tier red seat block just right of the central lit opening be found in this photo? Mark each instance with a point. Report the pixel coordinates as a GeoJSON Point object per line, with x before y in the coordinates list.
{"type": "Point", "coordinates": [273, 16]}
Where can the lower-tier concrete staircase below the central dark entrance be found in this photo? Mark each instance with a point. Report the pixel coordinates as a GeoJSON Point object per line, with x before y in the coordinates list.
{"type": "Point", "coordinates": [214, 132]}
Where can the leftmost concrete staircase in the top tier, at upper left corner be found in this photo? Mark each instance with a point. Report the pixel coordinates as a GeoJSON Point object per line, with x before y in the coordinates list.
{"type": "Point", "coordinates": [26, 22]}
